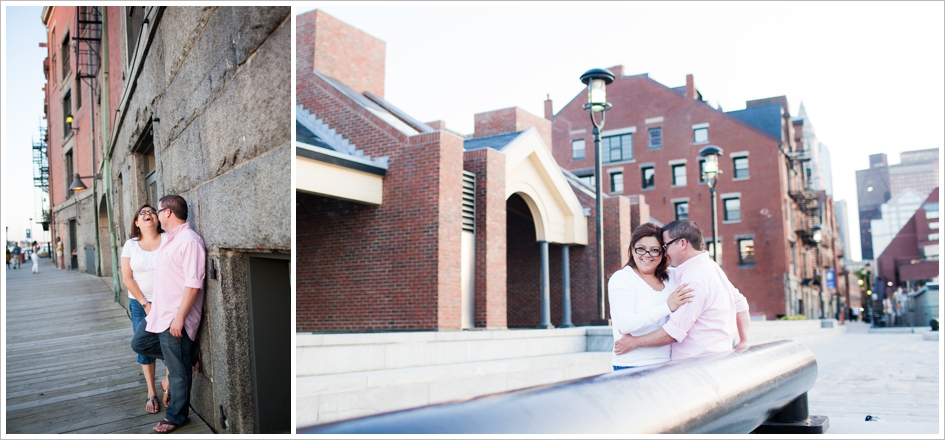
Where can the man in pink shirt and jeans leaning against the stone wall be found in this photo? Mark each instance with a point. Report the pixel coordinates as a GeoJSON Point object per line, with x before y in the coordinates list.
{"type": "Point", "coordinates": [170, 328]}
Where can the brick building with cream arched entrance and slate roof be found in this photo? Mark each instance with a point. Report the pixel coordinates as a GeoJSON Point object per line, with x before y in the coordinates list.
{"type": "Point", "coordinates": [406, 225]}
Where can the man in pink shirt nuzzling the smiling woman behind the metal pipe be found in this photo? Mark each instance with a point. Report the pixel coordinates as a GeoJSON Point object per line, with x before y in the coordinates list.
{"type": "Point", "coordinates": [718, 311]}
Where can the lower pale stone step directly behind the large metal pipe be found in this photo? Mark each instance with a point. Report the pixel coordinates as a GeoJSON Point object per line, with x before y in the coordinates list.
{"type": "Point", "coordinates": [328, 398]}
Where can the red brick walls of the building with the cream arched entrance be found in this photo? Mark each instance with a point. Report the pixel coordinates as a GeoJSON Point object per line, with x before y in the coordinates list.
{"type": "Point", "coordinates": [397, 266]}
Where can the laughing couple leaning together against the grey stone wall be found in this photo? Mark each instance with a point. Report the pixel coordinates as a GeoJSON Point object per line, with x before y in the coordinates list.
{"type": "Point", "coordinates": [162, 266]}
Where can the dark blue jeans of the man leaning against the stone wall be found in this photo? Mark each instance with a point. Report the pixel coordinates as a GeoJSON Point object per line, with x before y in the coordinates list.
{"type": "Point", "coordinates": [177, 354]}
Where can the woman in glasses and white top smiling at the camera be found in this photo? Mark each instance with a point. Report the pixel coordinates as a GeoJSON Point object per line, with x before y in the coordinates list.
{"type": "Point", "coordinates": [642, 295]}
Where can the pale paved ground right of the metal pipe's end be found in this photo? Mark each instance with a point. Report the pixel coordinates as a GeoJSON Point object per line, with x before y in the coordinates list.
{"type": "Point", "coordinates": [892, 376]}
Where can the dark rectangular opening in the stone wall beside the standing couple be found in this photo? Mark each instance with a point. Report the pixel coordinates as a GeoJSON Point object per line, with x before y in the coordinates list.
{"type": "Point", "coordinates": [270, 311]}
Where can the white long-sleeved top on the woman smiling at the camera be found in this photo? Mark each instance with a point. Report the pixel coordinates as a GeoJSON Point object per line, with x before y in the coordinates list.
{"type": "Point", "coordinates": [637, 309]}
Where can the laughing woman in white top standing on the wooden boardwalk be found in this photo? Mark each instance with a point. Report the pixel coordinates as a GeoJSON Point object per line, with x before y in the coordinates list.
{"type": "Point", "coordinates": [138, 263]}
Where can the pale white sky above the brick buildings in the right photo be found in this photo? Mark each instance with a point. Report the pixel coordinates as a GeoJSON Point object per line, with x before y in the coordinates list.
{"type": "Point", "coordinates": [871, 75]}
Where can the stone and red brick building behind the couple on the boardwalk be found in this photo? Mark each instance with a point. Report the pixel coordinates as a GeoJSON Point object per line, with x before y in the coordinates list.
{"type": "Point", "coordinates": [192, 101]}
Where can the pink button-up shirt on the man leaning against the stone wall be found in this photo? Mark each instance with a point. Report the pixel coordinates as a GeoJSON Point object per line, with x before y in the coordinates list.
{"type": "Point", "coordinates": [180, 264]}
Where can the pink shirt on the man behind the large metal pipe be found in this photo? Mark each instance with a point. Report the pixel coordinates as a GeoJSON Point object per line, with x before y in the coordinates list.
{"type": "Point", "coordinates": [707, 324]}
